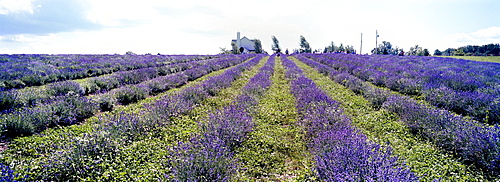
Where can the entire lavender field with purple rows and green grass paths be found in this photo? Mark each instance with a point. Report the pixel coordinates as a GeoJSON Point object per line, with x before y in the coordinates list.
{"type": "Point", "coordinates": [250, 117]}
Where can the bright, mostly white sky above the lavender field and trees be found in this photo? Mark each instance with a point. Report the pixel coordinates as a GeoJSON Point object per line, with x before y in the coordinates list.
{"type": "Point", "coordinates": [204, 27]}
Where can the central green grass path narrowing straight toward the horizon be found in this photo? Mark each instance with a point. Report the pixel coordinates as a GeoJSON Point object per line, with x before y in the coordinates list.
{"type": "Point", "coordinates": [275, 150]}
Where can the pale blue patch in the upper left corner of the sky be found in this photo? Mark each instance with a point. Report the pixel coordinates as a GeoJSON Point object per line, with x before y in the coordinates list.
{"type": "Point", "coordinates": [47, 16]}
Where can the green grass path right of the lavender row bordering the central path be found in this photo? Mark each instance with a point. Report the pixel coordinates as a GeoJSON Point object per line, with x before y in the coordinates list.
{"type": "Point", "coordinates": [425, 159]}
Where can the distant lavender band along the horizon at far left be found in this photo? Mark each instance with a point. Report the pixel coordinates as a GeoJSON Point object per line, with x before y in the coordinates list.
{"type": "Point", "coordinates": [20, 71]}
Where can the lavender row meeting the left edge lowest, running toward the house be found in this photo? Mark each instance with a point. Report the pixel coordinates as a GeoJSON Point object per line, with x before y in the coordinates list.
{"type": "Point", "coordinates": [72, 109]}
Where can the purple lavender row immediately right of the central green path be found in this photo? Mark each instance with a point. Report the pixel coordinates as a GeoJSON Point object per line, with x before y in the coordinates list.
{"type": "Point", "coordinates": [341, 152]}
